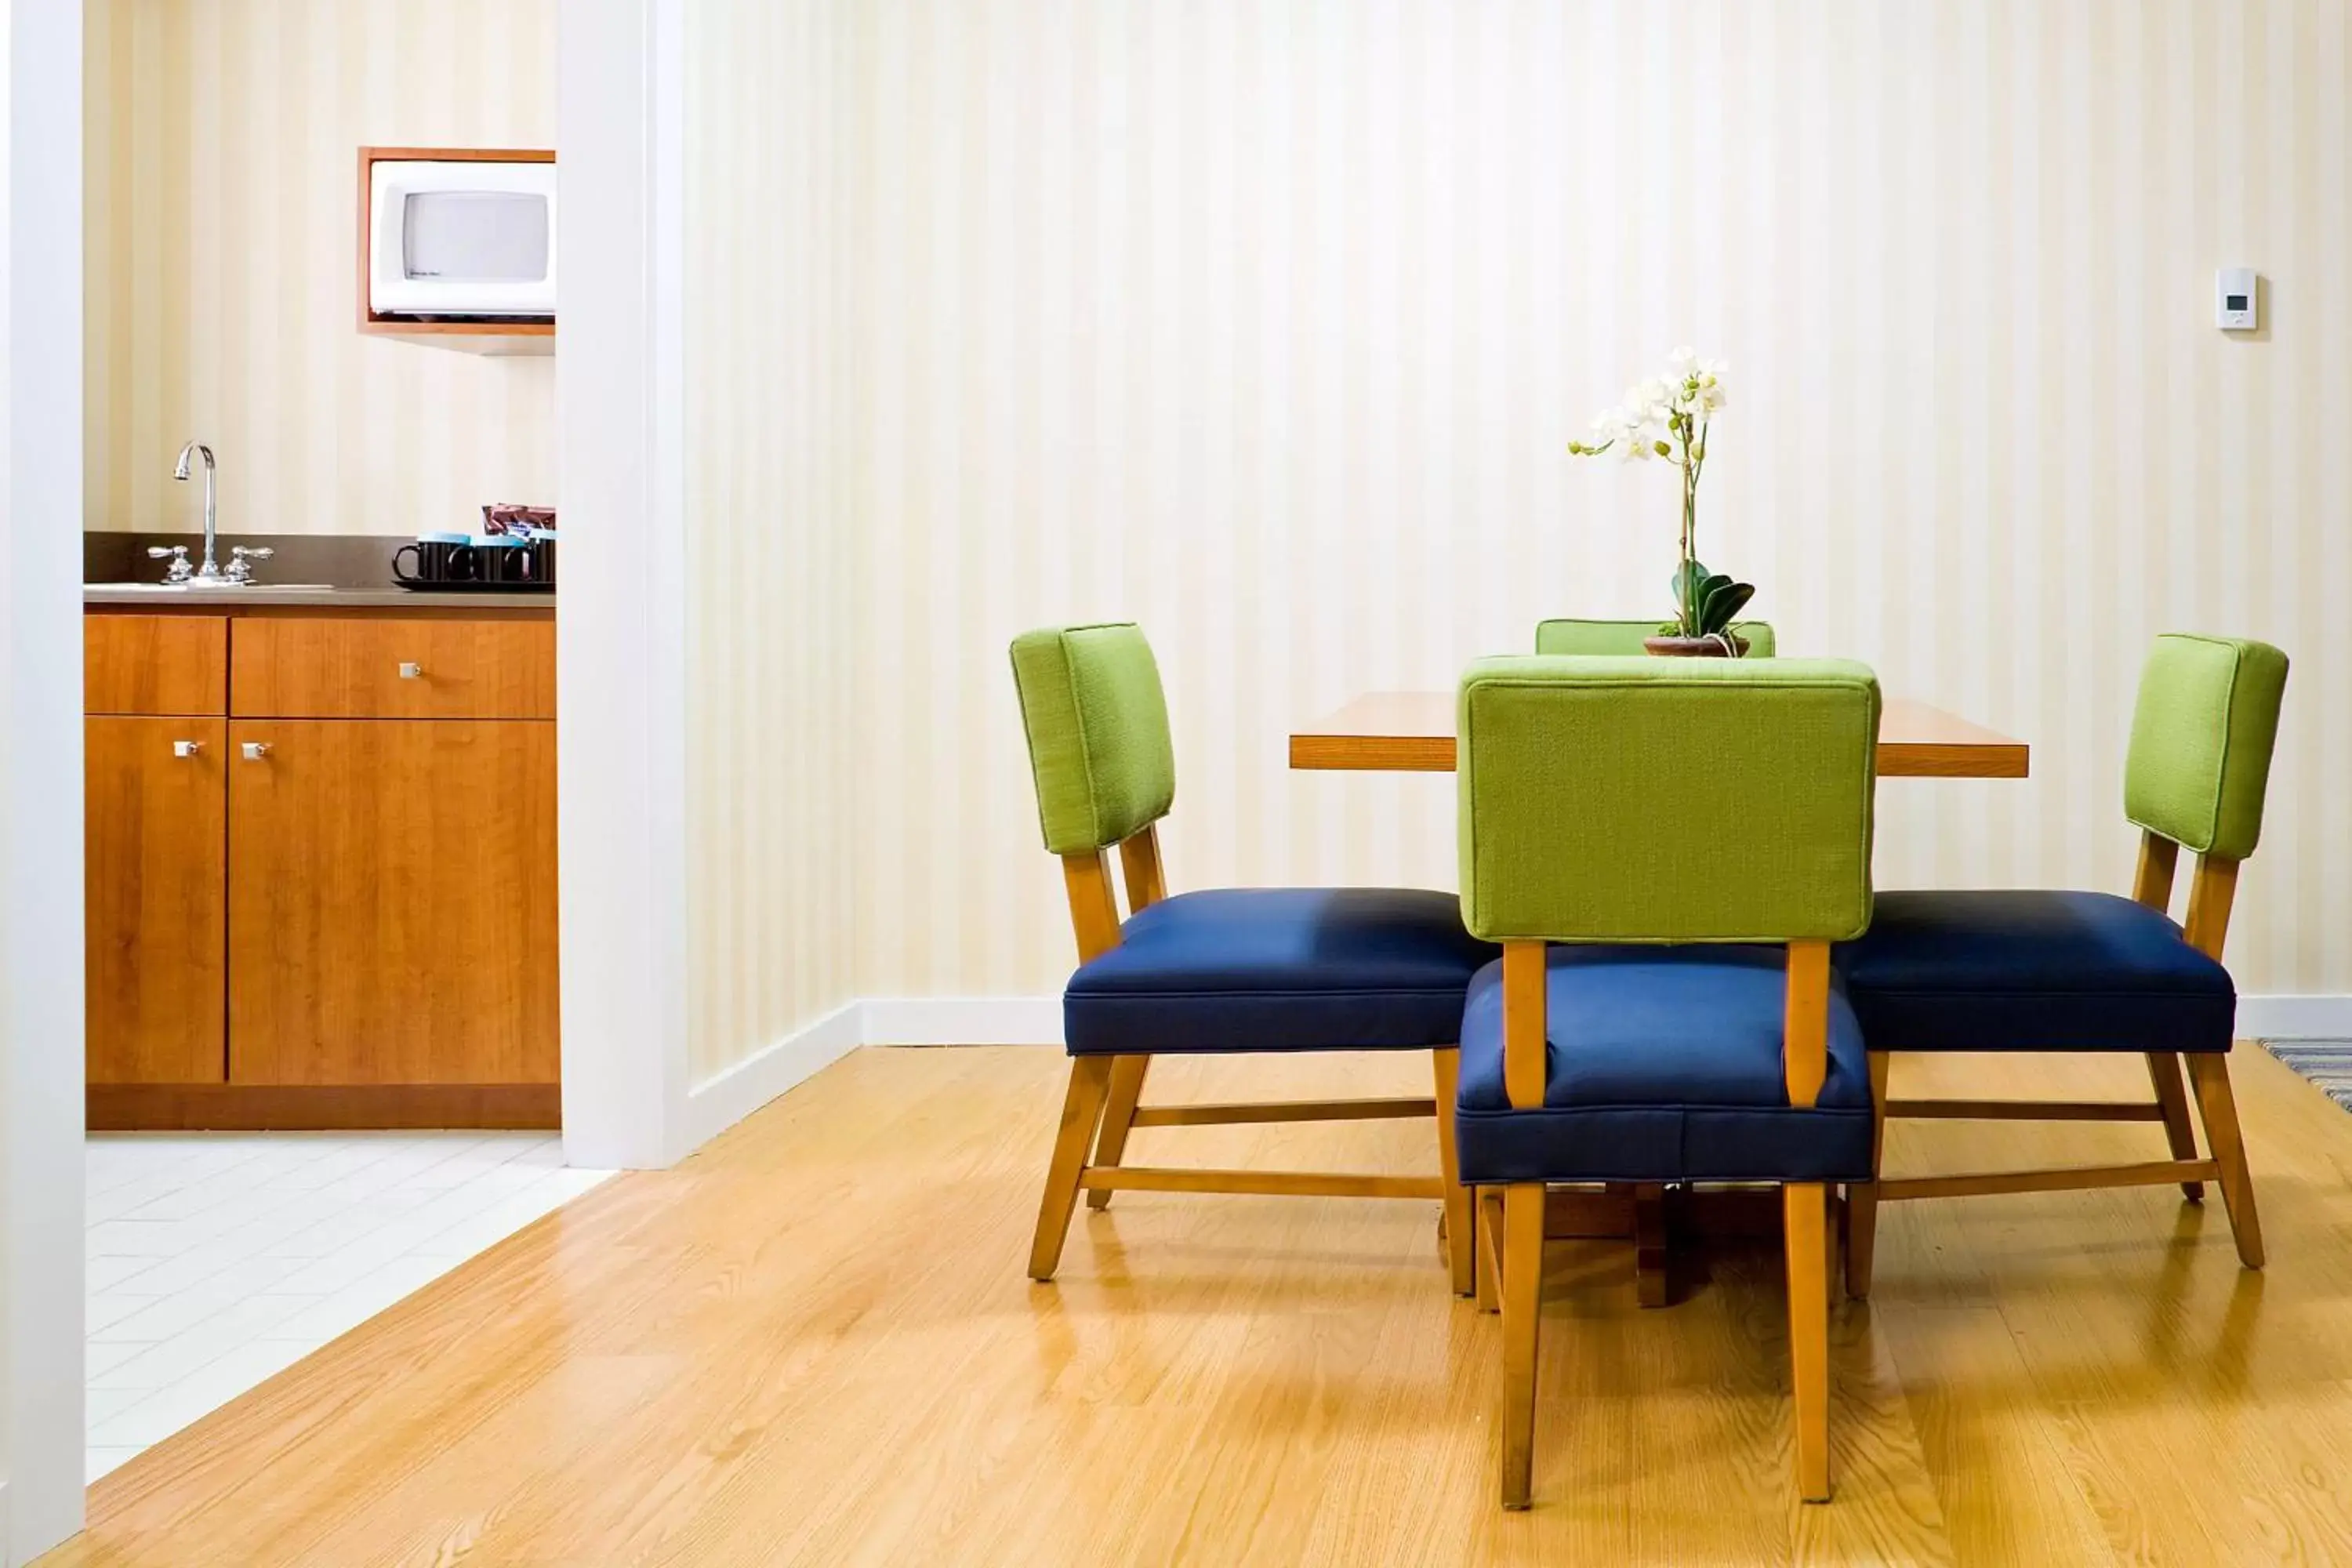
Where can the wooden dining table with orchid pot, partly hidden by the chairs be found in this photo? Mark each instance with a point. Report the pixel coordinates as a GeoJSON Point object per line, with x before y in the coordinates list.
{"type": "Point", "coordinates": [1412, 732]}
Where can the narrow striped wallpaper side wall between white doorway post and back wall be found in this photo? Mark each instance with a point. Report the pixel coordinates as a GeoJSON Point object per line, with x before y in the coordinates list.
{"type": "Point", "coordinates": [773, 521]}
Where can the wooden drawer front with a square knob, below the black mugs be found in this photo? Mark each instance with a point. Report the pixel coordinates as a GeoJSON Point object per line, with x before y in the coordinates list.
{"type": "Point", "coordinates": [394, 669]}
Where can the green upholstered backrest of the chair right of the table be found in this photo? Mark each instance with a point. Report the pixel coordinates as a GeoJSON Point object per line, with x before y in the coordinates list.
{"type": "Point", "coordinates": [2200, 742]}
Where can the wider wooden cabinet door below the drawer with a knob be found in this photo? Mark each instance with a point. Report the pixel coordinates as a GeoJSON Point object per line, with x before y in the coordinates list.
{"type": "Point", "coordinates": [392, 902]}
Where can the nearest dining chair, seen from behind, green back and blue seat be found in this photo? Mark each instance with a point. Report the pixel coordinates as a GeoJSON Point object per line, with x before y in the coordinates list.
{"type": "Point", "coordinates": [1666, 852]}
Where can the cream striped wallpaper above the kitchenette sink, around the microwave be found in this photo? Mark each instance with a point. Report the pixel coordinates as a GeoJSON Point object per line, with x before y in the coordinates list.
{"type": "Point", "coordinates": [222, 142]}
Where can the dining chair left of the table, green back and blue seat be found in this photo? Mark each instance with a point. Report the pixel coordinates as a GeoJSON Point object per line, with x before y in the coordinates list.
{"type": "Point", "coordinates": [1215, 972]}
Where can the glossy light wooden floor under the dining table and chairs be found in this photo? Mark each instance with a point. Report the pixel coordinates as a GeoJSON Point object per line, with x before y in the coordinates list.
{"type": "Point", "coordinates": [815, 1346]}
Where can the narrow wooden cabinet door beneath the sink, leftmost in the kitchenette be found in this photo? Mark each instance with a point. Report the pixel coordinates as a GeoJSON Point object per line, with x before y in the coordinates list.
{"type": "Point", "coordinates": [154, 885]}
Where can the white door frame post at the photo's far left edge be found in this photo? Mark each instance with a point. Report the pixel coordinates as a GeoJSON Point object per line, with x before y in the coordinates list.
{"type": "Point", "coordinates": [41, 779]}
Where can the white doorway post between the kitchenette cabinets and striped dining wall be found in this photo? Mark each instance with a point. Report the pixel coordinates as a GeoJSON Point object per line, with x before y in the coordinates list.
{"type": "Point", "coordinates": [620, 626]}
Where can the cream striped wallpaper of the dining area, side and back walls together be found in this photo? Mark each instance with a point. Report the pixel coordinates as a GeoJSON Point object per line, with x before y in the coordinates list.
{"type": "Point", "coordinates": [1269, 321]}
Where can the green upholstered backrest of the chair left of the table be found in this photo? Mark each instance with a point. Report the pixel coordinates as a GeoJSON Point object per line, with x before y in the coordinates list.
{"type": "Point", "coordinates": [1097, 730]}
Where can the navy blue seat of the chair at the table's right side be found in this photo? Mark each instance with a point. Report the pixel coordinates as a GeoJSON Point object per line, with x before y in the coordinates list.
{"type": "Point", "coordinates": [2033, 972]}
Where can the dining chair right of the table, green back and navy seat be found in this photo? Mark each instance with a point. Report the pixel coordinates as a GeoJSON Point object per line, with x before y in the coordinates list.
{"type": "Point", "coordinates": [2094, 972]}
